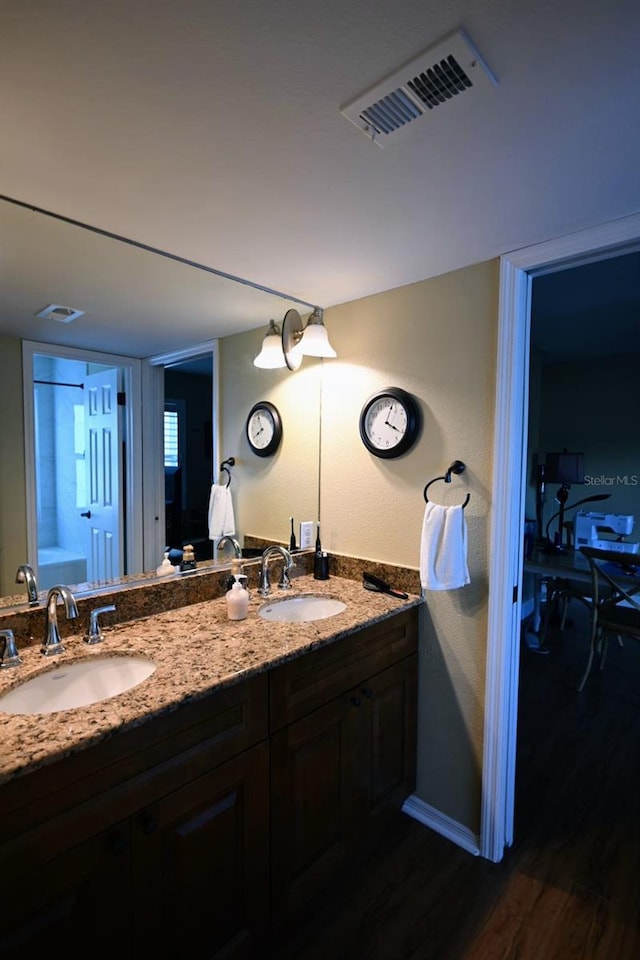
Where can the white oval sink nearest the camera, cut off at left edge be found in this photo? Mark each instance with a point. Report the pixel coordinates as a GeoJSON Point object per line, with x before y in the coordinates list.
{"type": "Point", "coordinates": [77, 685]}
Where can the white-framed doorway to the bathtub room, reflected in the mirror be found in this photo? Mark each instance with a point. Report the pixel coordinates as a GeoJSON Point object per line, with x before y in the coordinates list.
{"type": "Point", "coordinates": [82, 476]}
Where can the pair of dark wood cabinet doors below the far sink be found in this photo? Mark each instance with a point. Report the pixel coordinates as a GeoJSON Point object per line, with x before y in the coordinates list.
{"type": "Point", "coordinates": [332, 773]}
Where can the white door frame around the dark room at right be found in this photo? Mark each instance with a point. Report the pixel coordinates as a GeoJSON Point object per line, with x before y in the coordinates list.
{"type": "Point", "coordinates": [510, 451]}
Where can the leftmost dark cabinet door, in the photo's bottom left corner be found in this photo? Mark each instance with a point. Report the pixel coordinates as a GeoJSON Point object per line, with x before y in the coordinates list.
{"type": "Point", "coordinates": [78, 903]}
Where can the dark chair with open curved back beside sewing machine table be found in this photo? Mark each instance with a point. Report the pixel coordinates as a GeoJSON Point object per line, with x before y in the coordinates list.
{"type": "Point", "coordinates": [615, 608]}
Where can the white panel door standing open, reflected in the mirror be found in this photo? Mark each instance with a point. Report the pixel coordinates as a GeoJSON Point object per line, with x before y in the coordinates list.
{"type": "Point", "coordinates": [104, 555]}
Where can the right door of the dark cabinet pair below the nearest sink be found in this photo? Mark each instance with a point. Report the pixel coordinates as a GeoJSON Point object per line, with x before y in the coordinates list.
{"type": "Point", "coordinates": [201, 862]}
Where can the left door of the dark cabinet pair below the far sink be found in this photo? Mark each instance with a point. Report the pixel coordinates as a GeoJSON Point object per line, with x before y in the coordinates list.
{"type": "Point", "coordinates": [314, 803]}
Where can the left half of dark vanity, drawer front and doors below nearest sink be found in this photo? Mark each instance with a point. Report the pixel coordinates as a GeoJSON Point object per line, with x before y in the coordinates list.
{"type": "Point", "coordinates": [166, 847]}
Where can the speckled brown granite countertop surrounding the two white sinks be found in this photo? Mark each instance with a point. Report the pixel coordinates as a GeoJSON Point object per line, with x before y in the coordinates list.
{"type": "Point", "coordinates": [196, 649]}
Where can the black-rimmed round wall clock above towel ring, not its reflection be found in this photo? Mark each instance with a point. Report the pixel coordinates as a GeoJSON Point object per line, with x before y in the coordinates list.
{"type": "Point", "coordinates": [390, 422]}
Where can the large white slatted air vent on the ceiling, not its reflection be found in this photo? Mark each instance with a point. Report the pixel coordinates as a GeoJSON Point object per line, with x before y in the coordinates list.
{"type": "Point", "coordinates": [439, 75]}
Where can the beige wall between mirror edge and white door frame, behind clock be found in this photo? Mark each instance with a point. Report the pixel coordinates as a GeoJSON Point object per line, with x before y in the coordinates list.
{"type": "Point", "coordinates": [436, 339]}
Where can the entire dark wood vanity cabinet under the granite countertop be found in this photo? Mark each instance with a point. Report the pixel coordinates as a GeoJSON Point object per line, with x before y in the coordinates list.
{"type": "Point", "coordinates": [202, 832]}
